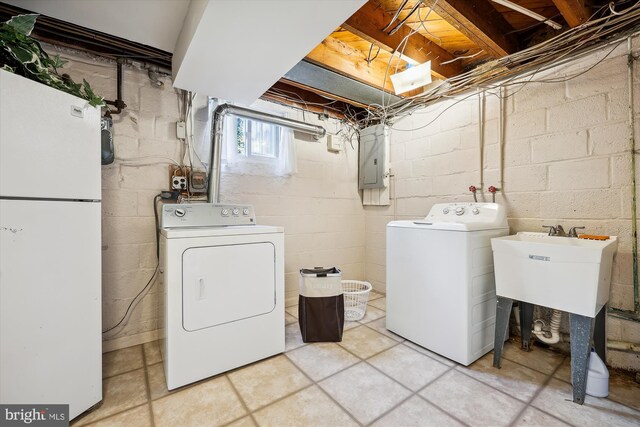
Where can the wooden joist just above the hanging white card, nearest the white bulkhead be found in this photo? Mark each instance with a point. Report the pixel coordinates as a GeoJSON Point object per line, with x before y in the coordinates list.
{"type": "Point", "coordinates": [368, 23]}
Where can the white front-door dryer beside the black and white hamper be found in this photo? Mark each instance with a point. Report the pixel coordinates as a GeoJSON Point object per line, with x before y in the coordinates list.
{"type": "Point", "coordinates": [223, 286]}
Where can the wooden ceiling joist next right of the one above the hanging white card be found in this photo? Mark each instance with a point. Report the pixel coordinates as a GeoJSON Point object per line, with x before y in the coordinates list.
{"type": "Point", "coordinates": [480, 22]}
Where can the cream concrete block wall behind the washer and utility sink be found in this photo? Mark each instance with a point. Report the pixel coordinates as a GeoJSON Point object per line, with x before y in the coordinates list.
{"type": "Point", "coordinates": [566, 161]}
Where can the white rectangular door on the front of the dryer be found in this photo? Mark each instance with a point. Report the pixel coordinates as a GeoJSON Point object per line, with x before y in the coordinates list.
{"type": "Point", "coordinates": [227, 283]}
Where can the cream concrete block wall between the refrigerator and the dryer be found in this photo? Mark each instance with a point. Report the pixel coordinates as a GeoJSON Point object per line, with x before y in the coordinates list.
{"type": "Point", "coordinates": [144, 138]}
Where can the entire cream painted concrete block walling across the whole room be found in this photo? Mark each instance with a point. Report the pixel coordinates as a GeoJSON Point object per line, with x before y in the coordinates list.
{"type": "Point", "coordinates": [566, 160]}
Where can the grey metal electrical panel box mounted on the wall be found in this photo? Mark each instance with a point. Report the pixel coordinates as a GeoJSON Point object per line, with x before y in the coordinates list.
{"type": "Point", "coordinates": [371, 171]}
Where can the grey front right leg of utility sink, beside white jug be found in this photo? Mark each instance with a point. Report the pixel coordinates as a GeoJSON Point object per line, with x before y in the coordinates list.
{"type": "Point", "coordinates": [581, 329]}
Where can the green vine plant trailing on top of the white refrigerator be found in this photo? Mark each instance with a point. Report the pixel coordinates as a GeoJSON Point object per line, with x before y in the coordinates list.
{"type": "Point", "coordinates": [23, 55]}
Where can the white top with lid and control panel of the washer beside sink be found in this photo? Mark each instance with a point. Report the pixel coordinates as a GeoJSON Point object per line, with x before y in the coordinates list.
{"type": "Point", "coordinates": [460, 217]}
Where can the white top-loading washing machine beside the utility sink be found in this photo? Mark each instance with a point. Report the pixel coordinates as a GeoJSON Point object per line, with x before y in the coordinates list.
{"type": "Point", "coordinates": [440, 283]}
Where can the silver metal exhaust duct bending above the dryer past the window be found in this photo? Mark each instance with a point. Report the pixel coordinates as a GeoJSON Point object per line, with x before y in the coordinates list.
{"type": "Point", "coordinates": [217, 127]}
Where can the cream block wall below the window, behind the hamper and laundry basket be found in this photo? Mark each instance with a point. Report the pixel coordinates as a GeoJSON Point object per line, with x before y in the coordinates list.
{"type": "Point", "coordinates": [319, 206]}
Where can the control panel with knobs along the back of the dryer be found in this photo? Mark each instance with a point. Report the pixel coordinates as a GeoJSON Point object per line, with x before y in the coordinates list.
{"type": "Point", "coordinates": [206, 215]}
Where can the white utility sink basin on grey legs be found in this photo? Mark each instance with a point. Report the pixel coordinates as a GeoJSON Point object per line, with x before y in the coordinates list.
{"type": "Point", "coordinates": [565, 273]}
